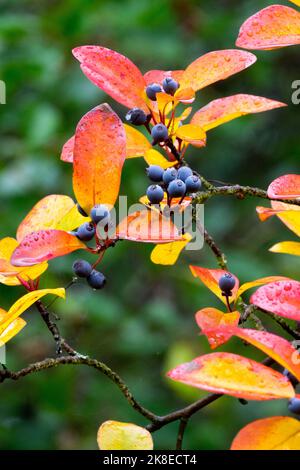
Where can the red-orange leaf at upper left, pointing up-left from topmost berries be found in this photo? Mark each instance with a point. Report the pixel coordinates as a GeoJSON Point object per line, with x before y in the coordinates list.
{"type": "Point", "coordinates": [113, 73]}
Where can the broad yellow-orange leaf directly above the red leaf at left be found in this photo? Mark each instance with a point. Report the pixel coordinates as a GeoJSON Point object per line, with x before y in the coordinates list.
{"type": "Point", "coordinates": [52, 212]}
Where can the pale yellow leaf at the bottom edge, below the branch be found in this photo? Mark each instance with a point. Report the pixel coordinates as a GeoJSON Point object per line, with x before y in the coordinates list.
{"type": "Point", "coordinates": [114, 435]}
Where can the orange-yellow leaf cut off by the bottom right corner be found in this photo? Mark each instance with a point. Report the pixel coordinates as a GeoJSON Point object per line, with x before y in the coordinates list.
{"type": "Point", "coordinates": [274, 433]}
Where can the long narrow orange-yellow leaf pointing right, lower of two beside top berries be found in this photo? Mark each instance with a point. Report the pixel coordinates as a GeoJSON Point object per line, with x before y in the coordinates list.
{"type": "Point", "coordinates": [223, 110]}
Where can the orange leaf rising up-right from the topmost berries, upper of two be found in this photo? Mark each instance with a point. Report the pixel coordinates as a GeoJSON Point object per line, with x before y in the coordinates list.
{"type": "Point", "coordinates": [215, 66]}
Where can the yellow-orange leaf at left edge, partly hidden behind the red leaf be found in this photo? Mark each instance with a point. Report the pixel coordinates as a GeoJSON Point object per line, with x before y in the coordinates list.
{"type": "Point", "coordinates": [8, 273]}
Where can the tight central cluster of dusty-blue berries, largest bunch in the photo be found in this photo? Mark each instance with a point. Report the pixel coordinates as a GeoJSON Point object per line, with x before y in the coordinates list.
{"type": "Point", "coordinates": [175, 183]}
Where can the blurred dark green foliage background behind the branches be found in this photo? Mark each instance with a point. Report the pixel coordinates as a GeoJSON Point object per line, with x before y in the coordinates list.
{"type": "Point", "coordinates": [143, 322]}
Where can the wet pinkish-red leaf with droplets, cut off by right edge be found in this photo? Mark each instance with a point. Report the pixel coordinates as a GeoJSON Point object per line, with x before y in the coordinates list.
{"type": "Point", "coordinates": [281, 297]}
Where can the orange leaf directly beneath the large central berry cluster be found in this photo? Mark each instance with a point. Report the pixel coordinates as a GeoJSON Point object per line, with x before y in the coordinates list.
{"type": "Point", "coordinates": [149, 227]}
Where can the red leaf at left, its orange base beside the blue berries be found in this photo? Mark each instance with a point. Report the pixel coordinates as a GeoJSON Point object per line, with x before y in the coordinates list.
{"type": "Point", "coordinates": [44, 245]}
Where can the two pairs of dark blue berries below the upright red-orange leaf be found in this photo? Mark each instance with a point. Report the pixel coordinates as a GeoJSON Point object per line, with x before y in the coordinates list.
{"type": "Point", "coordinates": [86, 232]}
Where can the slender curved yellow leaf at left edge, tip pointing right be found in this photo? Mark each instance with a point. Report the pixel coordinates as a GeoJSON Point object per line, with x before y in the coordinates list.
{"type": "Point", "coordinates": [25, 302]}
